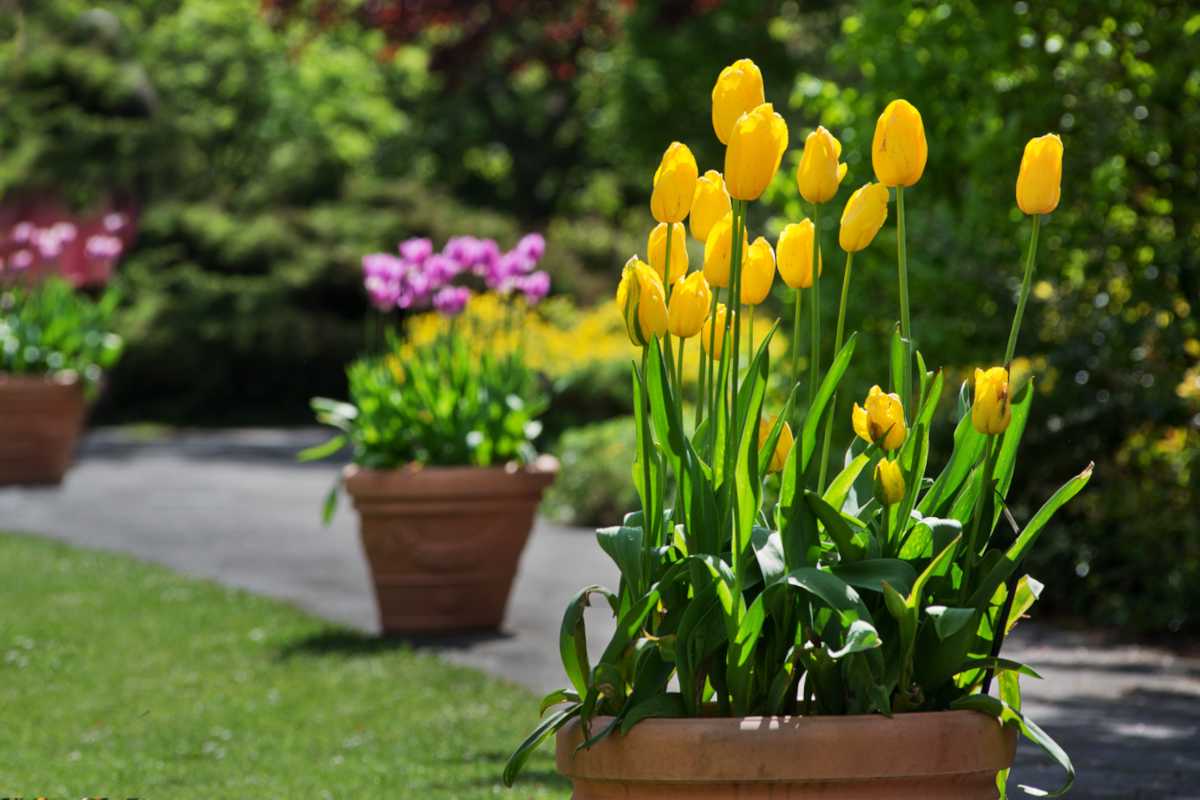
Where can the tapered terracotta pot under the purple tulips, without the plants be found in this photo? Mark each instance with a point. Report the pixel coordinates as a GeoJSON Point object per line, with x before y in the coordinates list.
{"type": "Point", "coordinates": [443, 543]}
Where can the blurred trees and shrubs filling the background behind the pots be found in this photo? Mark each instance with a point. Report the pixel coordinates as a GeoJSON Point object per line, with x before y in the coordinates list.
{"type": "Point", "coordinates": [271, 143]}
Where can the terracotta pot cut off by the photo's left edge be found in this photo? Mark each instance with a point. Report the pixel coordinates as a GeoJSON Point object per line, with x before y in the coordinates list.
{"type": "Point", "coordinates": [40, 423]}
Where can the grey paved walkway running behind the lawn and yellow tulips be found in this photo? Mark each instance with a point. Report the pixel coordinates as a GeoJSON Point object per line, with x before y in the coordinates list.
{"type": "Point", "coordinates": [236, 508]}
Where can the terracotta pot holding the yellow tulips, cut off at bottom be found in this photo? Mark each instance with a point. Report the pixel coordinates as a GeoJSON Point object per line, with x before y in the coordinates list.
{"type": "Point", "coordinates": [938, 756]}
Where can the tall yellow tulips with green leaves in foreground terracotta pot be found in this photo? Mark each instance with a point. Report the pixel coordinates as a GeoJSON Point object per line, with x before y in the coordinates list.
{"type": "Point", "coordinates": [843, 641]}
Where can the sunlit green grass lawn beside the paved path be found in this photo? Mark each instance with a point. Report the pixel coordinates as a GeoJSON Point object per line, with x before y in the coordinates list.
{"type": "Point", "coordinates": [121, 679]}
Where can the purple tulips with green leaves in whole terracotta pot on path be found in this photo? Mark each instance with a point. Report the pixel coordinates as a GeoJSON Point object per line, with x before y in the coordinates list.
{"type": "Point", "coordinates": [445, 474]}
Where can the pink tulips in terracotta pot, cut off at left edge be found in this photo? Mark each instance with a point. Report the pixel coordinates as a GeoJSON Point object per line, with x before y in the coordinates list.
{"type": "Point", "coordinates": [56, 340]}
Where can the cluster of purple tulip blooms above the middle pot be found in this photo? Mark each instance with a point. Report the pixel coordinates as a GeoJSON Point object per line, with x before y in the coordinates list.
{"type": "Point", "coordinates": [419, 278]}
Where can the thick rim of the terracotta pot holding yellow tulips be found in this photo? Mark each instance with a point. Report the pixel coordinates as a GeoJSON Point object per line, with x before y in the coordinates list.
{"type": "Point", "coordinates": [791, 749]}
